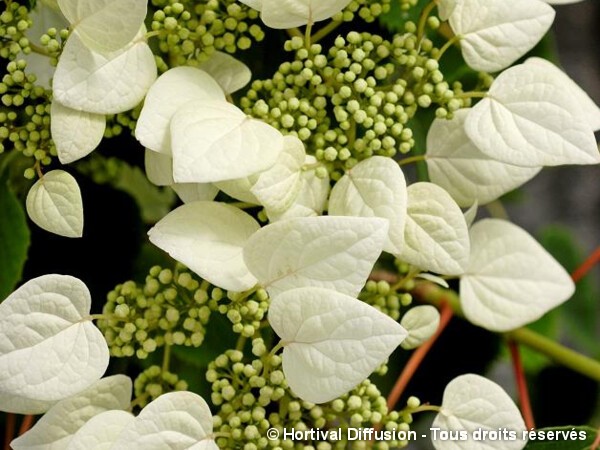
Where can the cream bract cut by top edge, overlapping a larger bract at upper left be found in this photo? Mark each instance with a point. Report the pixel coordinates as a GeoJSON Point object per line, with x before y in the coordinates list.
{"type": "Point", "coordinates": [105, 25]}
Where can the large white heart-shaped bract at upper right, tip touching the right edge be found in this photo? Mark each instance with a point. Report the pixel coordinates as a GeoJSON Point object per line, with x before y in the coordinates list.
{"type": "Point", "coordinates": [529, 119]}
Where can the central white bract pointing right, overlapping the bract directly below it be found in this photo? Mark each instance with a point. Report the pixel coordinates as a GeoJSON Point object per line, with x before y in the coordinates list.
{"type": "Point", "coordinates": [326, 251]}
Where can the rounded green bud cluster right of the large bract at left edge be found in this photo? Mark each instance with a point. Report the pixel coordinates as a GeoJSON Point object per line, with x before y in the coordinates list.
{"type": "Point", "coordinates": [170, 308]}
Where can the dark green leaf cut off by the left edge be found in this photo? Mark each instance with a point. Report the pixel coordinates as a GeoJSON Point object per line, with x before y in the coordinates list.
{"type": "Point", "coordinates": [14, 236]}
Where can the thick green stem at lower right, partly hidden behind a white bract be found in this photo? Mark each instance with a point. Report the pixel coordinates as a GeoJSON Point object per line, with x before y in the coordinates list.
{"type": "Point", "coordinates": [585, 365]}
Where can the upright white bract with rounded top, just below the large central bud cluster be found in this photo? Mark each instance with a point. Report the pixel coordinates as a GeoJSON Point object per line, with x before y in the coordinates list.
{"type": "Point", "coordinates": [374, 187]}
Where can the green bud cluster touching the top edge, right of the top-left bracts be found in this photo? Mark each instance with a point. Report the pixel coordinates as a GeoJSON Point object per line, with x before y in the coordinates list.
{"type": "Point", "coordinates": [189, 32]}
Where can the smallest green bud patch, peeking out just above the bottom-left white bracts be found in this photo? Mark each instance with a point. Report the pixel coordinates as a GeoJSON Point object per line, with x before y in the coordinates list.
{"type": "Point", "coordinates": [153, 382]}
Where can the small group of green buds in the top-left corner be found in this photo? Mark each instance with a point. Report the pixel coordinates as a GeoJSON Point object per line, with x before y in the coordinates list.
{"type": "Point", "coordinates": [14, 23]}
